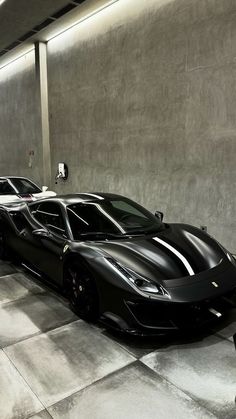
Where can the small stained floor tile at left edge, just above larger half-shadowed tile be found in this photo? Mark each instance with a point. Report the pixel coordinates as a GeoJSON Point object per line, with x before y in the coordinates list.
{"type": "Point", "coordinates": [15, 286]}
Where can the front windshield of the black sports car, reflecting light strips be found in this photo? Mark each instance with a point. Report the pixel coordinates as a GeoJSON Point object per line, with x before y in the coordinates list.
{"type": "Point", "coordinates": [117, 216]}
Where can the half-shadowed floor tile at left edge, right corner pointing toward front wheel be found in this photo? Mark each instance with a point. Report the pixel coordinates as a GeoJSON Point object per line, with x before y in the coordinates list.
{"type": "Point", "coordinates": [28, 316]}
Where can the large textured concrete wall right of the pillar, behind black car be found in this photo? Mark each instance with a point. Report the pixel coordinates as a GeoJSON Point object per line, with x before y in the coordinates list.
{"type": "Point", "coordinates": [143, 102]}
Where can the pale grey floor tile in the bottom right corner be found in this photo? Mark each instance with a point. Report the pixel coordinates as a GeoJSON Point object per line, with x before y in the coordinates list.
{"type": "Point", "coordinates": [205, 370]}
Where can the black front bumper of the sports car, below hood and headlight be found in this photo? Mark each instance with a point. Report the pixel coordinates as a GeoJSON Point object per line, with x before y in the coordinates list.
{"type": "Point", "coordinates": [194, 301]}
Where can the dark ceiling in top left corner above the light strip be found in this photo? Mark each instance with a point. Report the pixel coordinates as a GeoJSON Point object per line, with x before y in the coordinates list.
{"type": "Point", "coordinates": [21, 19]}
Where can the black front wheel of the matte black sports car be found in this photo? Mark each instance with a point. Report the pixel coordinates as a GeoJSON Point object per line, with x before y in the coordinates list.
{"type": "Point", "coordinates": [81, 291]}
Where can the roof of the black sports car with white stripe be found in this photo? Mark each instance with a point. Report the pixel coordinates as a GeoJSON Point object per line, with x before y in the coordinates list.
{"type": "Point", "coordinates": [71, 199]}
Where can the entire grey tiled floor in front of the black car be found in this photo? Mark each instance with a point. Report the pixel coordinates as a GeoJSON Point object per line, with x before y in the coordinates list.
{"type": "Point", "coordinates": [54, 365]}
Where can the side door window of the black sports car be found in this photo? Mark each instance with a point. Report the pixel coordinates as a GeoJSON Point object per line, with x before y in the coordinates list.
{"type": "Point", "coordinates": [49, 214]}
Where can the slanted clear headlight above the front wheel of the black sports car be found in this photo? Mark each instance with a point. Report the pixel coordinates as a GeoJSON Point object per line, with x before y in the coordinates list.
{"type": "Point", "coordinates": [138, 282]}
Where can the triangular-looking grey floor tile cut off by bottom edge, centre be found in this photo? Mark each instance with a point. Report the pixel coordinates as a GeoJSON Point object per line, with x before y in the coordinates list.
{"type": "Point", "coordinates": [133, 392]}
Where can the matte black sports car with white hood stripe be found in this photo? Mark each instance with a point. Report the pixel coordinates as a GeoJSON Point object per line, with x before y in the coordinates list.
{"type": "Point", "coordinates": [119, 263]}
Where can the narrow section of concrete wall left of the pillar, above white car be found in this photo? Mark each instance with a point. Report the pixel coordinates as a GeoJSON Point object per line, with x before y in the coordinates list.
{"type": "Point", "coordinates": [19, 120]}
